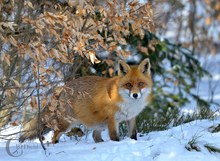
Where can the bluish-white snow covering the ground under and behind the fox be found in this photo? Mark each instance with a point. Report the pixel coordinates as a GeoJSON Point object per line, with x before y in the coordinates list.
{"type": "Point", "coordinates": [183, 143]}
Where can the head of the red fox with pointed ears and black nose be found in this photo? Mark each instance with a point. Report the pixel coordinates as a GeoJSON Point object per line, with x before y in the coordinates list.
{"type": "Point", "coordinates": [135, 81]}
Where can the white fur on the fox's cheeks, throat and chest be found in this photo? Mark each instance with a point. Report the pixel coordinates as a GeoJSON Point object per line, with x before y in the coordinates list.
{"type": "Point", "coordinates": [131, 107]}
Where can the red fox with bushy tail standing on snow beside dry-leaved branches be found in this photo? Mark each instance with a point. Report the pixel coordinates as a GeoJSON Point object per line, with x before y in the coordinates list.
{"type": "Point", "coordinates": [96, 102]}
